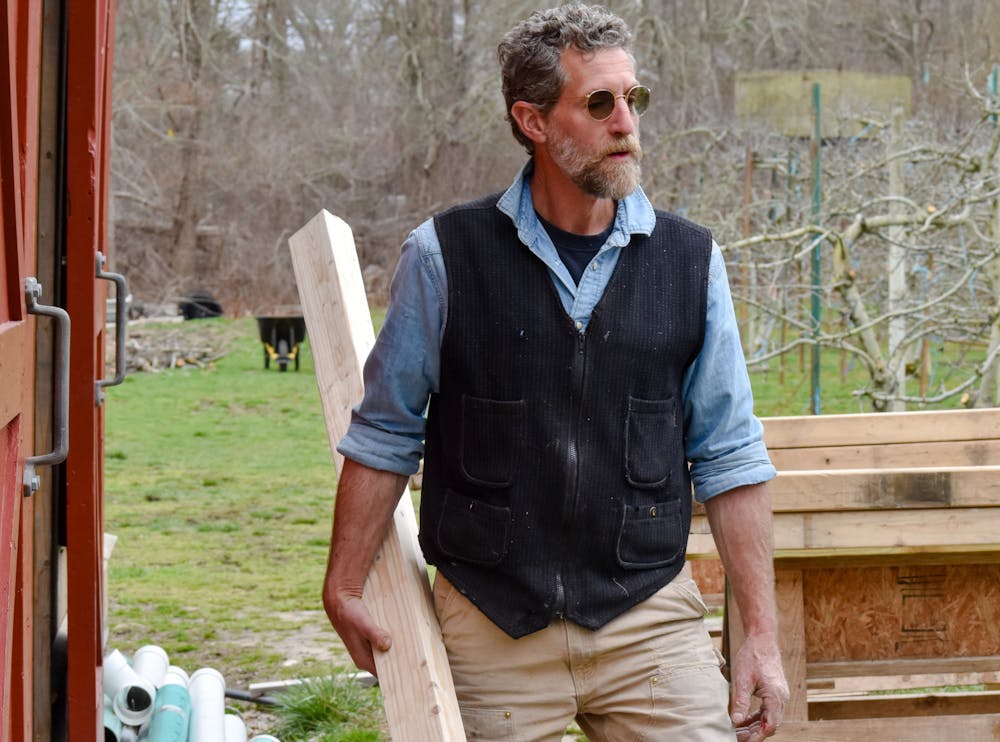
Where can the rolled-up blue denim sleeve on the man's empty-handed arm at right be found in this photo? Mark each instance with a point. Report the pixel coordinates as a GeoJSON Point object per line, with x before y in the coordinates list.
{"type": "Point", "coordinates": [724, 439]}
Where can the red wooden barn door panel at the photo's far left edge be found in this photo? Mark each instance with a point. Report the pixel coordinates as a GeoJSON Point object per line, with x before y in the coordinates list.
{"type": "Point", "coordinates": [19, 69]}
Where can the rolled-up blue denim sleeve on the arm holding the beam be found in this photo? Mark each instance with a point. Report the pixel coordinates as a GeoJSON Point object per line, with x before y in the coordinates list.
{"type": "Point", "coordinates": [387, 427]}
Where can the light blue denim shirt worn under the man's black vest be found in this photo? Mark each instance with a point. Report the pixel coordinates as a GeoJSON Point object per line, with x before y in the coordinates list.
{"type": "Point", "coordinates": [724, 440]}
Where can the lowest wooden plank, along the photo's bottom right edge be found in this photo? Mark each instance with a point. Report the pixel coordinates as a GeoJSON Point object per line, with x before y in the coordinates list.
{"type": "Point", "coordinates": [973, 728]}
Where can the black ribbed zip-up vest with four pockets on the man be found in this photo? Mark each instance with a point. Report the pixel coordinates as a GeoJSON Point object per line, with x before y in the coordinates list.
{"type": "Point", "coordinates": [555, 481]}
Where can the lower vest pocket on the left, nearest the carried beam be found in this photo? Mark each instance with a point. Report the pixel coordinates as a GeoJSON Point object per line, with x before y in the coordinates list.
{"type": "Point", "coordinates": [472, 530]}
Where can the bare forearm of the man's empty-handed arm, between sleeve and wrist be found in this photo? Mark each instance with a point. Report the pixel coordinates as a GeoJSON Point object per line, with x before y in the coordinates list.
{"type": "Point", "coordinates": [742, 526]}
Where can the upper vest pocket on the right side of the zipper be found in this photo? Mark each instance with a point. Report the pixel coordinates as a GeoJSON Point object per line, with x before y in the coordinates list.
{"type": "Point", "coordinates": [650, 432]}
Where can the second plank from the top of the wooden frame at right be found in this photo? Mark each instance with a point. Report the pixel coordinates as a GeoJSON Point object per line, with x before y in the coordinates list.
{"type": "Point", "coordinates": [924, 454]}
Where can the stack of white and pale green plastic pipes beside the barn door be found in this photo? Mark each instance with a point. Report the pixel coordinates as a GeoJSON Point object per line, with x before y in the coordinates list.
{"type": "Point", "coordinates": [150, 700]}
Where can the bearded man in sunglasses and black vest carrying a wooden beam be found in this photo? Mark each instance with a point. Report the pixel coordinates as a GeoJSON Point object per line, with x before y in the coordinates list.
{"type": "Point", "coordinates": [579, 351]}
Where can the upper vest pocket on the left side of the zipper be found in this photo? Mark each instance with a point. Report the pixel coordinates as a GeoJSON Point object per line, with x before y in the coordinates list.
{"type": "Point", "coordinates": [491, 431]}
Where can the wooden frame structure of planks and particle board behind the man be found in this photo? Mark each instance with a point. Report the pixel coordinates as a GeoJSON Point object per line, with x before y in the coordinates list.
{"type": "Point", "coordinates": [887, 565]}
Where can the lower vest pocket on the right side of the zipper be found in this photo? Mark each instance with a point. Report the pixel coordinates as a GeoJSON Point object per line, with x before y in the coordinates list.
{"type": "Point", "coordinates": [650, 535]}
